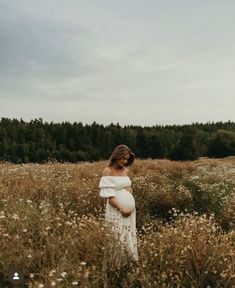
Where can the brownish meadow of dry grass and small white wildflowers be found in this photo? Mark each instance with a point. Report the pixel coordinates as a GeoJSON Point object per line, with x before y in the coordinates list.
{"type": "Point", "coordinates": [52, 225]}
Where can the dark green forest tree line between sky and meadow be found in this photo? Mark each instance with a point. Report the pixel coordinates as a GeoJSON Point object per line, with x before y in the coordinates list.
{"type": "Point", "coordinates": [39, 141]}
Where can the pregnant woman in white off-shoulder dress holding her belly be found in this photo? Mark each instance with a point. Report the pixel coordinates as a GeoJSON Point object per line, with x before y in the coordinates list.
{"type": "Point", "coordinates": [115, 185]}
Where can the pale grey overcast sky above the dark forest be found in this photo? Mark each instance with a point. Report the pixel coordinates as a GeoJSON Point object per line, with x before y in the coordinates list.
{"type": "Point", "coordinates": [142, 62]}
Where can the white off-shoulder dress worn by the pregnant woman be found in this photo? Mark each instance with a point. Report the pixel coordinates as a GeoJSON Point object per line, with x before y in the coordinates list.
{"type": "Point", "coordinates": [125, 227]}
